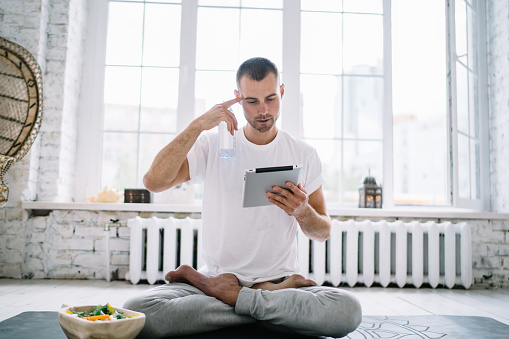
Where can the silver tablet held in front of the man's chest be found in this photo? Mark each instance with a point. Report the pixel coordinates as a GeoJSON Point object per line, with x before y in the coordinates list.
{"type": "Point", "coordinates": [259, 181]}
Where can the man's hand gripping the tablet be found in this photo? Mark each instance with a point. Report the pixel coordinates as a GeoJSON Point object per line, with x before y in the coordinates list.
{"type": "Point", "coordinates": [293, 201]}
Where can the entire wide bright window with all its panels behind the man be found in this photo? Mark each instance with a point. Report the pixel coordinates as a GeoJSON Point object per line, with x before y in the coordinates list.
{"type": "Point", "coordinates": [376, 86]}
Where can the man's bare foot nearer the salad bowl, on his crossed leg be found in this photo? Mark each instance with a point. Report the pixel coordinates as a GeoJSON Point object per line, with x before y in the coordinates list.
{"type": "Point", "coordinates": [224, 287]}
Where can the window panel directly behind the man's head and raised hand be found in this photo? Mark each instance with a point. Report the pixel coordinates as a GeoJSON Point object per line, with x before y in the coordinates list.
{"type": "Point", "coordinates": [242, 29]}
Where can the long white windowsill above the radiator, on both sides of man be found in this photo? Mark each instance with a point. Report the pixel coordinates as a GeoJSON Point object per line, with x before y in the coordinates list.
{"type": "Point", "coordinates": [399, 212]}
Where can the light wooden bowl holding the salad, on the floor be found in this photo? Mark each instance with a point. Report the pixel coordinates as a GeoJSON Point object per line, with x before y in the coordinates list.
{"type": "Point", "coordinates": [77, 328]}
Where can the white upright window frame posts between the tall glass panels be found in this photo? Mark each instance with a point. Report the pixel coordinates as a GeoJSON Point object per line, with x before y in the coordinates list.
{"type": "Point", "coordinates": [90, 133]}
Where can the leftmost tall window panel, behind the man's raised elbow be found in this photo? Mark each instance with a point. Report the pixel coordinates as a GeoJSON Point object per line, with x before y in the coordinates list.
{"type": "Point", "coordinates": [141, 88]}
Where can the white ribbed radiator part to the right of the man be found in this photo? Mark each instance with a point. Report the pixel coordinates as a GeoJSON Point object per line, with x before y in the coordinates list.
{"type": "Point", "coordinates": [390, 252]}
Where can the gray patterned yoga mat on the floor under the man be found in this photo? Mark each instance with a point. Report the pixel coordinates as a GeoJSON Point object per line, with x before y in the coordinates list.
{"type": "Point", "coordinates": [44, 325]}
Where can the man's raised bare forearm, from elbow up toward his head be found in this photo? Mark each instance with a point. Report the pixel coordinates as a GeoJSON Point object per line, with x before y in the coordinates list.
{"type": "Point", "coordinates": [169, 160]}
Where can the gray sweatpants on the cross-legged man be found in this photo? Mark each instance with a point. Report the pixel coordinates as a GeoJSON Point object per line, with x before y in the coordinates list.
{"type": "Point", "coordinates": [179, 309]}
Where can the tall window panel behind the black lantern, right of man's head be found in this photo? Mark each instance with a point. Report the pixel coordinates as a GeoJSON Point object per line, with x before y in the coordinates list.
{"type": "Point", "coordinates": [342, 91]}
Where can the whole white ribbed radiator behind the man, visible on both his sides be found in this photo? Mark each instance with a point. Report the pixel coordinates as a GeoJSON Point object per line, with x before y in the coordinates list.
{"type": "Point", "coordinates": [363, 252]}
